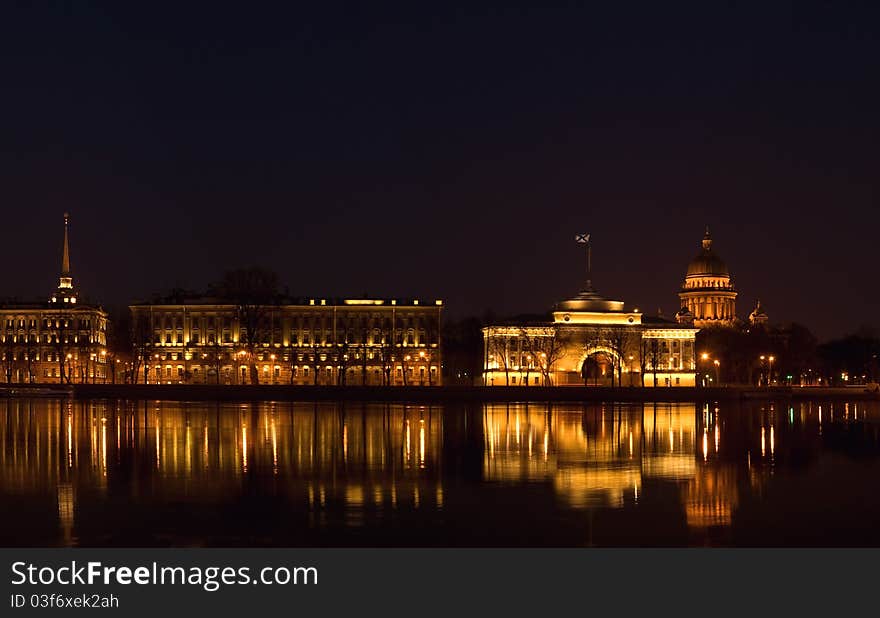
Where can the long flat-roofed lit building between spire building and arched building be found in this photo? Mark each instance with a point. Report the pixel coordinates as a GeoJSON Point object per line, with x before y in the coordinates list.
{"type": "Point", "coordinates": [208, 340]}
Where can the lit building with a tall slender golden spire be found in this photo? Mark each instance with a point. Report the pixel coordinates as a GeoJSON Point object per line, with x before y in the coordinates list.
{"type": "Point", "coordinates": [60, 340]}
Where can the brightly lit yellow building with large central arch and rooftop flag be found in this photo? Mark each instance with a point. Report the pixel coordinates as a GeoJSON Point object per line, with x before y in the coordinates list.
{"type": "Point", "coordinates": [590, 340]}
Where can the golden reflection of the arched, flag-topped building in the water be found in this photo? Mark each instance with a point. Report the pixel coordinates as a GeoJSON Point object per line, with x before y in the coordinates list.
{"type": "Point", "coordinates": [595, 457]}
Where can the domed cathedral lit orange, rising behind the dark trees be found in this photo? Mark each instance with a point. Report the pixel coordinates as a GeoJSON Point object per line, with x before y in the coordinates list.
{"type": "Point", "coordinates": [708, 296]}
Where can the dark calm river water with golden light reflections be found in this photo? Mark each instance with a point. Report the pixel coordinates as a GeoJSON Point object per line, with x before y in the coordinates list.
{"type": "Point", "coordinates": [125, 473]}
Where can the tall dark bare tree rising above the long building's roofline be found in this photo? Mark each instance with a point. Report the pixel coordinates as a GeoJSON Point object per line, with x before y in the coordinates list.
{"type": "Point", "coordinates": [252, 291]}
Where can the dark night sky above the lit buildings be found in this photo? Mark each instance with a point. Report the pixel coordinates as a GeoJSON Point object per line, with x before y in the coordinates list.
{"type": "Point", "coordinates": [447, 152]}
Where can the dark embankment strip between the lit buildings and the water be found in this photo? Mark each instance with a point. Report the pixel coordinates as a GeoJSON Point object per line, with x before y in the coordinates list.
{"type": "Point", "coordinates": [430, 394]}
